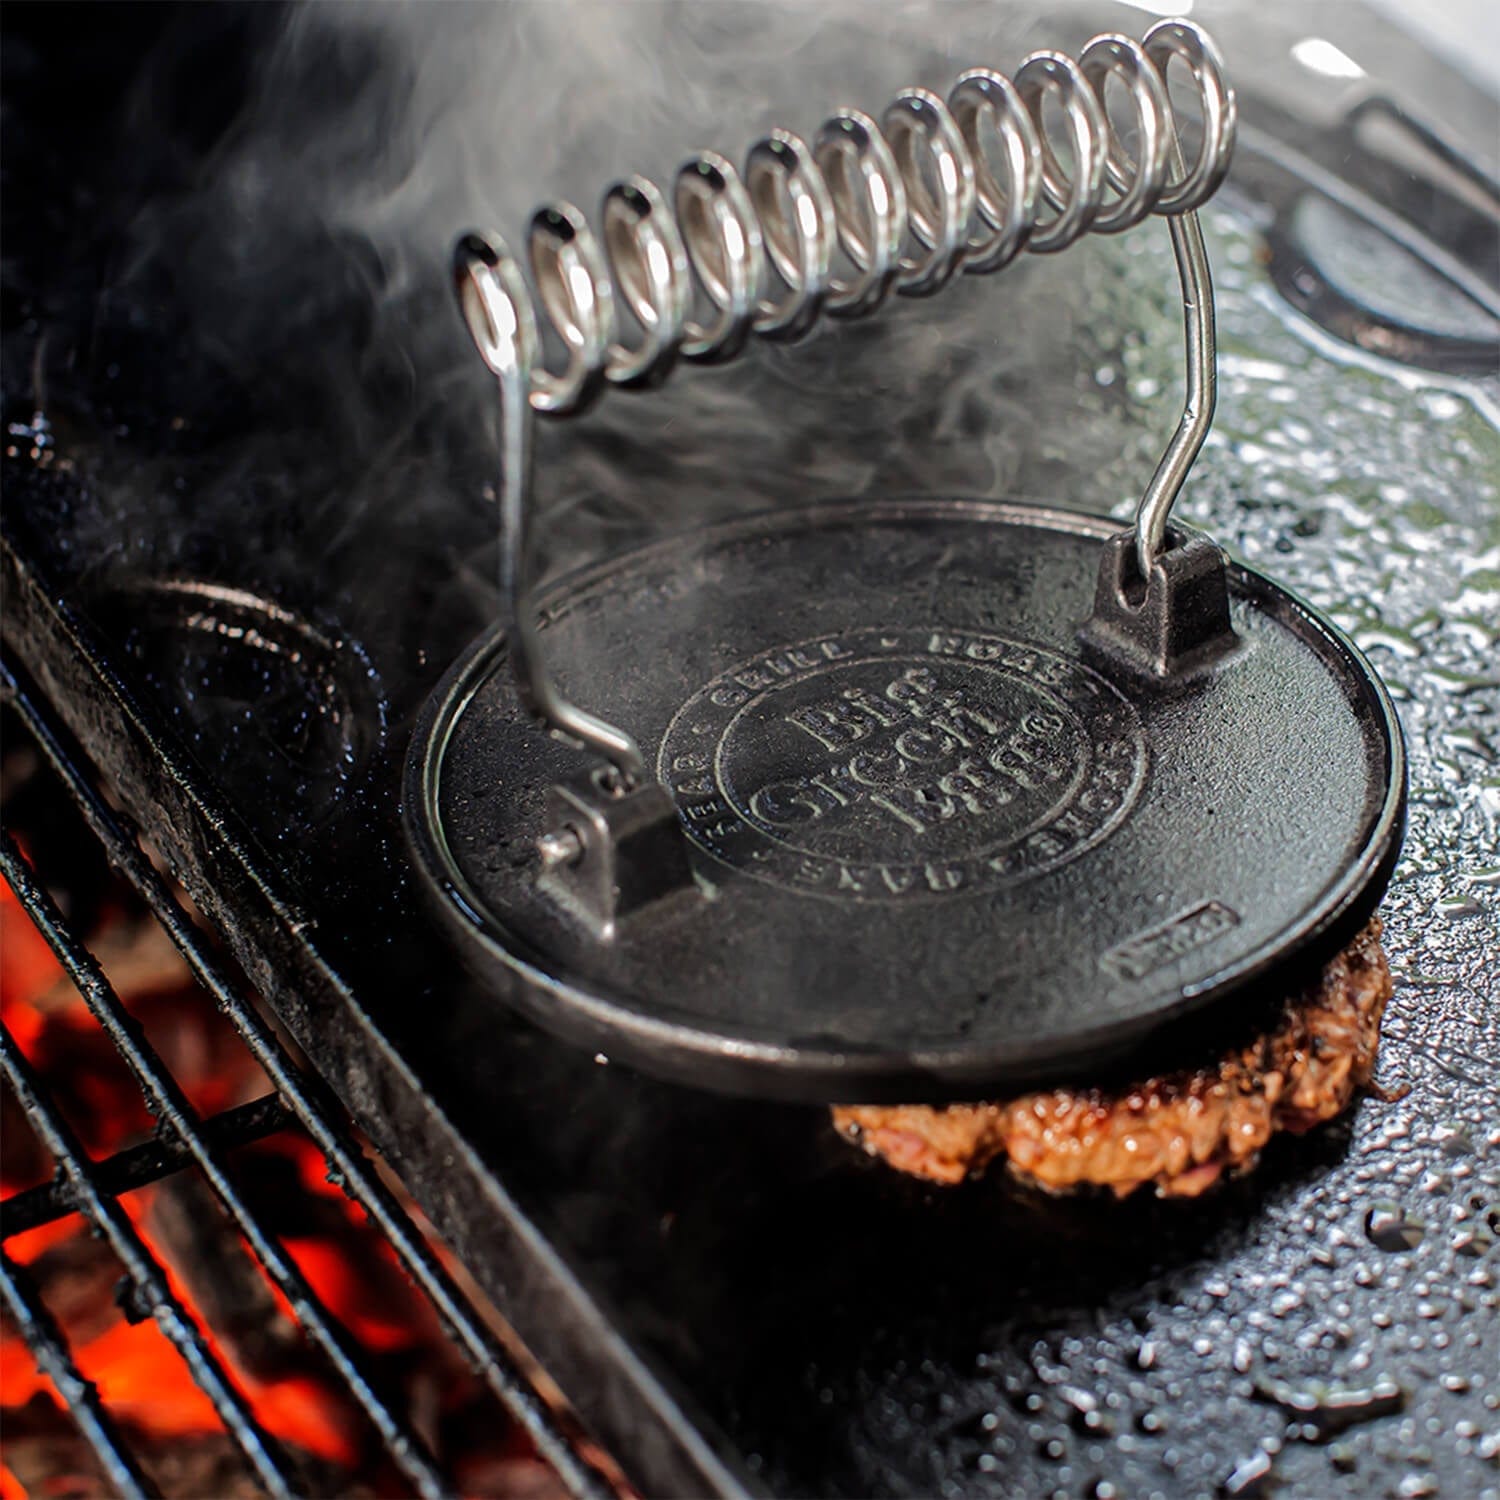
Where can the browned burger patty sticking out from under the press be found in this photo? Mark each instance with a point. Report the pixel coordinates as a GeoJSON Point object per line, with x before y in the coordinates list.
{"type": "Point", "coordinates": [1180, 1132]}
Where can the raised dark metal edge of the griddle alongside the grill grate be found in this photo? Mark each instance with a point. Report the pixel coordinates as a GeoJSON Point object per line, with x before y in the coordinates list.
{"type": "Point", "coordinates": [623, 1397]}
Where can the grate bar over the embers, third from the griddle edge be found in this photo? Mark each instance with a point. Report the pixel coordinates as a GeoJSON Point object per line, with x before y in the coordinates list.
{"type": "Point", "coordinates": [262, 1451]}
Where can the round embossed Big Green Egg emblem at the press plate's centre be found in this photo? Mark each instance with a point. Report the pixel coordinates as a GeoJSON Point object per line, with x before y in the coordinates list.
{"type": "Point", "coordinates": [904, 766]}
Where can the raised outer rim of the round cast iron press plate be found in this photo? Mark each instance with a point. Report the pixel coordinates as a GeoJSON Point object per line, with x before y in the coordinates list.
{"type": "Point", "coordinates": [688, 1052]}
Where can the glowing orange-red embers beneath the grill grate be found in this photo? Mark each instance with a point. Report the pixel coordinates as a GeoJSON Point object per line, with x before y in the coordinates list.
{"type": "Point", "coordinates": [164, 1414]}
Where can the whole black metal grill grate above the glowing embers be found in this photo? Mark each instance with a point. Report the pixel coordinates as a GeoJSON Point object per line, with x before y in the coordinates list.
{"type": "Point", "coordinates": [185, 1139]}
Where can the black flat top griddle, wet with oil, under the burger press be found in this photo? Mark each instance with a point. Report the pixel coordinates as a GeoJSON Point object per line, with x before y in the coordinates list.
{"type": "Point", "coordinates": [733, 1298]}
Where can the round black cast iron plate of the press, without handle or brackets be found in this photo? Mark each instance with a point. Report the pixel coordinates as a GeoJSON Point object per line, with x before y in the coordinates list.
{"type": "Point", "coordinates": [940, 854]}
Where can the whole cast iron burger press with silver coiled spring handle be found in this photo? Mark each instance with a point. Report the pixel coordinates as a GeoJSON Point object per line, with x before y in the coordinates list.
{"type": "Point", "coordinates": [916, 799]}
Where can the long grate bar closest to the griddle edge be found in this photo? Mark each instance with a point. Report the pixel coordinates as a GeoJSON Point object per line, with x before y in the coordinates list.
{"type": "Point", "coordinates": [316, 1111]}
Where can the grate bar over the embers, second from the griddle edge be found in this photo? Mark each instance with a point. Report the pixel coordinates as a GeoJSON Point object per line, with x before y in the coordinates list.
{"type": "Point", "coordinates": [179, 1118]}
